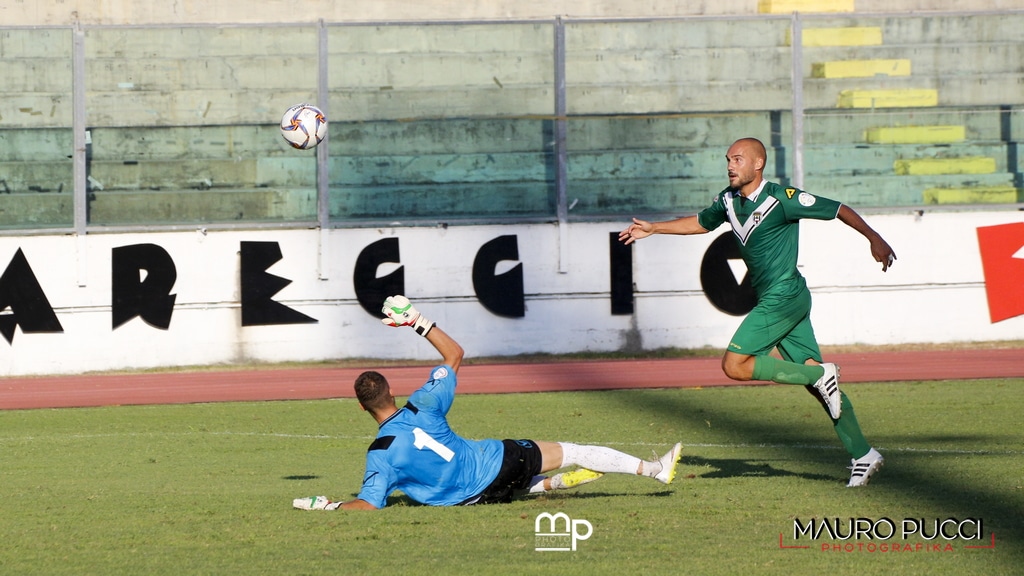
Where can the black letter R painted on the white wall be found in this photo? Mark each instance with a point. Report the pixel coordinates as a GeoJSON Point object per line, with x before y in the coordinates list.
{"type": "Point", "coordinates": [148, 297]}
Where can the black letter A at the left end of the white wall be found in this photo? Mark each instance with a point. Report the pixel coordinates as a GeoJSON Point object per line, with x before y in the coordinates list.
{"type": "Point", "coordinates": [22, 295]}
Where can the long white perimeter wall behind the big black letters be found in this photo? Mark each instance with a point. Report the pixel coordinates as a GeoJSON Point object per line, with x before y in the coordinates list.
{"type": "Point", "coordinates": [934, 294]}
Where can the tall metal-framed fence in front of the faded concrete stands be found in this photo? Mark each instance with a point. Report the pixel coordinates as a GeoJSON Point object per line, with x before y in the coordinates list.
{"type": "Point", "coordinates": [110, 129]}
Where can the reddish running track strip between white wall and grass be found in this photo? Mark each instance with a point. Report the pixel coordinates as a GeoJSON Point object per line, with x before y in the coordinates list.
{"type": "Point", "coordinates": [307, 384]}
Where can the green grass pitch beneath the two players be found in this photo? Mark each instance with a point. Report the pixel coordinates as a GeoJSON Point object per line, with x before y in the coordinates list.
{"type": "Point", "coordinates": [207, 489]}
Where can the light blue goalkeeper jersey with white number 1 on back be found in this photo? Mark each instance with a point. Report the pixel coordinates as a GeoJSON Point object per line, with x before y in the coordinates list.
{"type": "Point", "coordinates": [417, 452]}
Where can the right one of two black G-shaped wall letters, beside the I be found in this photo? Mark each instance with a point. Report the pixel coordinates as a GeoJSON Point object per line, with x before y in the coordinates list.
{"type": "Point", "coordinates": [503, 294]}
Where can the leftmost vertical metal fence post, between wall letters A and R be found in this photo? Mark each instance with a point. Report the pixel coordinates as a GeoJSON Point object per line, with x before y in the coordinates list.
{"type": "Point", "coordinates": [80, 199]}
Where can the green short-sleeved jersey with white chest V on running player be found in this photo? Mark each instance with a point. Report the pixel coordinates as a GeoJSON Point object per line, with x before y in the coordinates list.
{"type": "Point", "coordinates": [767, 229]}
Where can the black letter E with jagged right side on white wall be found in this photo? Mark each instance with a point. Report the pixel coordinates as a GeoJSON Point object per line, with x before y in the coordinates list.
{"type": "Point", "coordinates": [259, 287]}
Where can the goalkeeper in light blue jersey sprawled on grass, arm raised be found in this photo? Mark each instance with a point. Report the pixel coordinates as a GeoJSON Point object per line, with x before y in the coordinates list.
{"type": "Point", "coordinates": [417, 452]}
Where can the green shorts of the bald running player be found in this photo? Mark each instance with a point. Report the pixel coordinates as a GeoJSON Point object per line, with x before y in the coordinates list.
{"type": "Point", "coordinates": [783, 322]}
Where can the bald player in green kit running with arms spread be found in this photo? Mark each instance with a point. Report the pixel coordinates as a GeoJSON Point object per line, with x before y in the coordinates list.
{"type": "Point", "coordinates": [765, 220]}
